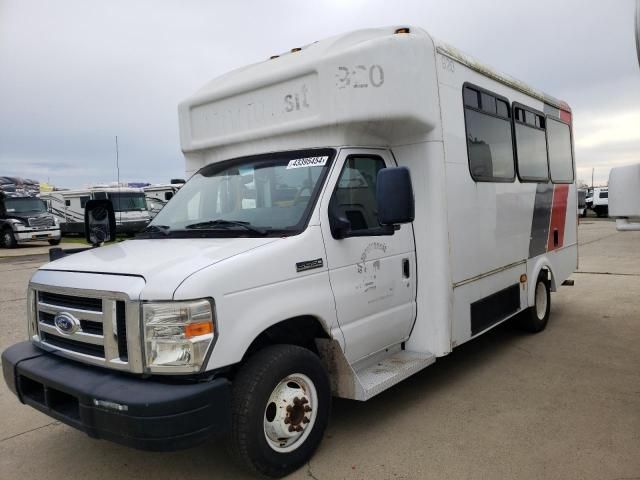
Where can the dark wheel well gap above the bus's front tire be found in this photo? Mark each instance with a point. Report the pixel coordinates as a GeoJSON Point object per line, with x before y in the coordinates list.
{"type": "Point", "coordinates": [301, 331]}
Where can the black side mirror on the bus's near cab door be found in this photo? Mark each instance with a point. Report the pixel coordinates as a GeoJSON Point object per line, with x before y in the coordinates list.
{"type": "Point", "coordinates": [394, 195]}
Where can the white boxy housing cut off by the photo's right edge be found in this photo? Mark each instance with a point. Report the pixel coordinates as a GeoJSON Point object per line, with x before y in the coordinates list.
{"type": "Point", "coordinates": [624, 197]}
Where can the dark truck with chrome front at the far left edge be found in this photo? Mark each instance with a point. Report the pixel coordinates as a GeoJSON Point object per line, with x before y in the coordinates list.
{"type": "Point", "coordinates": [25, 219]}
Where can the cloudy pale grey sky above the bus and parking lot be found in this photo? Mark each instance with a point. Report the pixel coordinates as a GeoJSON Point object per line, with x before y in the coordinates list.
{"type": "Point", "coordinates": [74, 74]}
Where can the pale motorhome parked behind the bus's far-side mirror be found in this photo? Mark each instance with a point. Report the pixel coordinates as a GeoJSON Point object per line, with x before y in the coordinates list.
{"type": "Point", "coordinates": [130, 206]}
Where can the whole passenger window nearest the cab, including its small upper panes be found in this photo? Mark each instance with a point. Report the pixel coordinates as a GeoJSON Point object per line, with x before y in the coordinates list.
{"type": "Point", "coordinates": [489, 140]}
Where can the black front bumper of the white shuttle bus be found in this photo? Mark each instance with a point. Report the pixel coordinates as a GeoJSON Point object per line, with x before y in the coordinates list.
{"type": "Point", "coordinates": [158, 416]}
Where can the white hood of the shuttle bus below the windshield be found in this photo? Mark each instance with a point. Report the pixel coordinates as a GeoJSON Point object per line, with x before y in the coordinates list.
{"type": "Point", "coordinates": [163, 263]}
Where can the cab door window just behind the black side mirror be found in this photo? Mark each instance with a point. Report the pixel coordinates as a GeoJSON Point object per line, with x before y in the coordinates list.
{"type": "Point", "coordinates": [355, 194]}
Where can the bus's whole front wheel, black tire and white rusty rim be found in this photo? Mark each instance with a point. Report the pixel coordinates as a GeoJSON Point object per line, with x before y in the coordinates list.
{"type": "Point", "coordinates": [264, 382]}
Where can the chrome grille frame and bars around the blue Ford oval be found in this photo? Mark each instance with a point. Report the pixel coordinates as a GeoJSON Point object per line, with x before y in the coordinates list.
{"type": "Point", "coordinates": [107, 318]}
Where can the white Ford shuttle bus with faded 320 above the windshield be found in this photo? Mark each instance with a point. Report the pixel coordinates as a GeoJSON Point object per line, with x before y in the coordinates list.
{"type": "Point", "coordinates": [357, 208]}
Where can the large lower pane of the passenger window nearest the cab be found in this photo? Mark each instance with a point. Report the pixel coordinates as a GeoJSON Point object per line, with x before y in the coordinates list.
{"type": "Point", "coordinates": [490, 147]}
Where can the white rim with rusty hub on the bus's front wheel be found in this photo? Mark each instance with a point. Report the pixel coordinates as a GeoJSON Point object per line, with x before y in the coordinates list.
{"type": "Point", "coordinates": [290, 413]}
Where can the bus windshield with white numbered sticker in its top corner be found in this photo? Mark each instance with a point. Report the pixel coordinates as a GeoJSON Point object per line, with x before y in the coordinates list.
{"type": "Point", "coordinates": [257, 195]}
